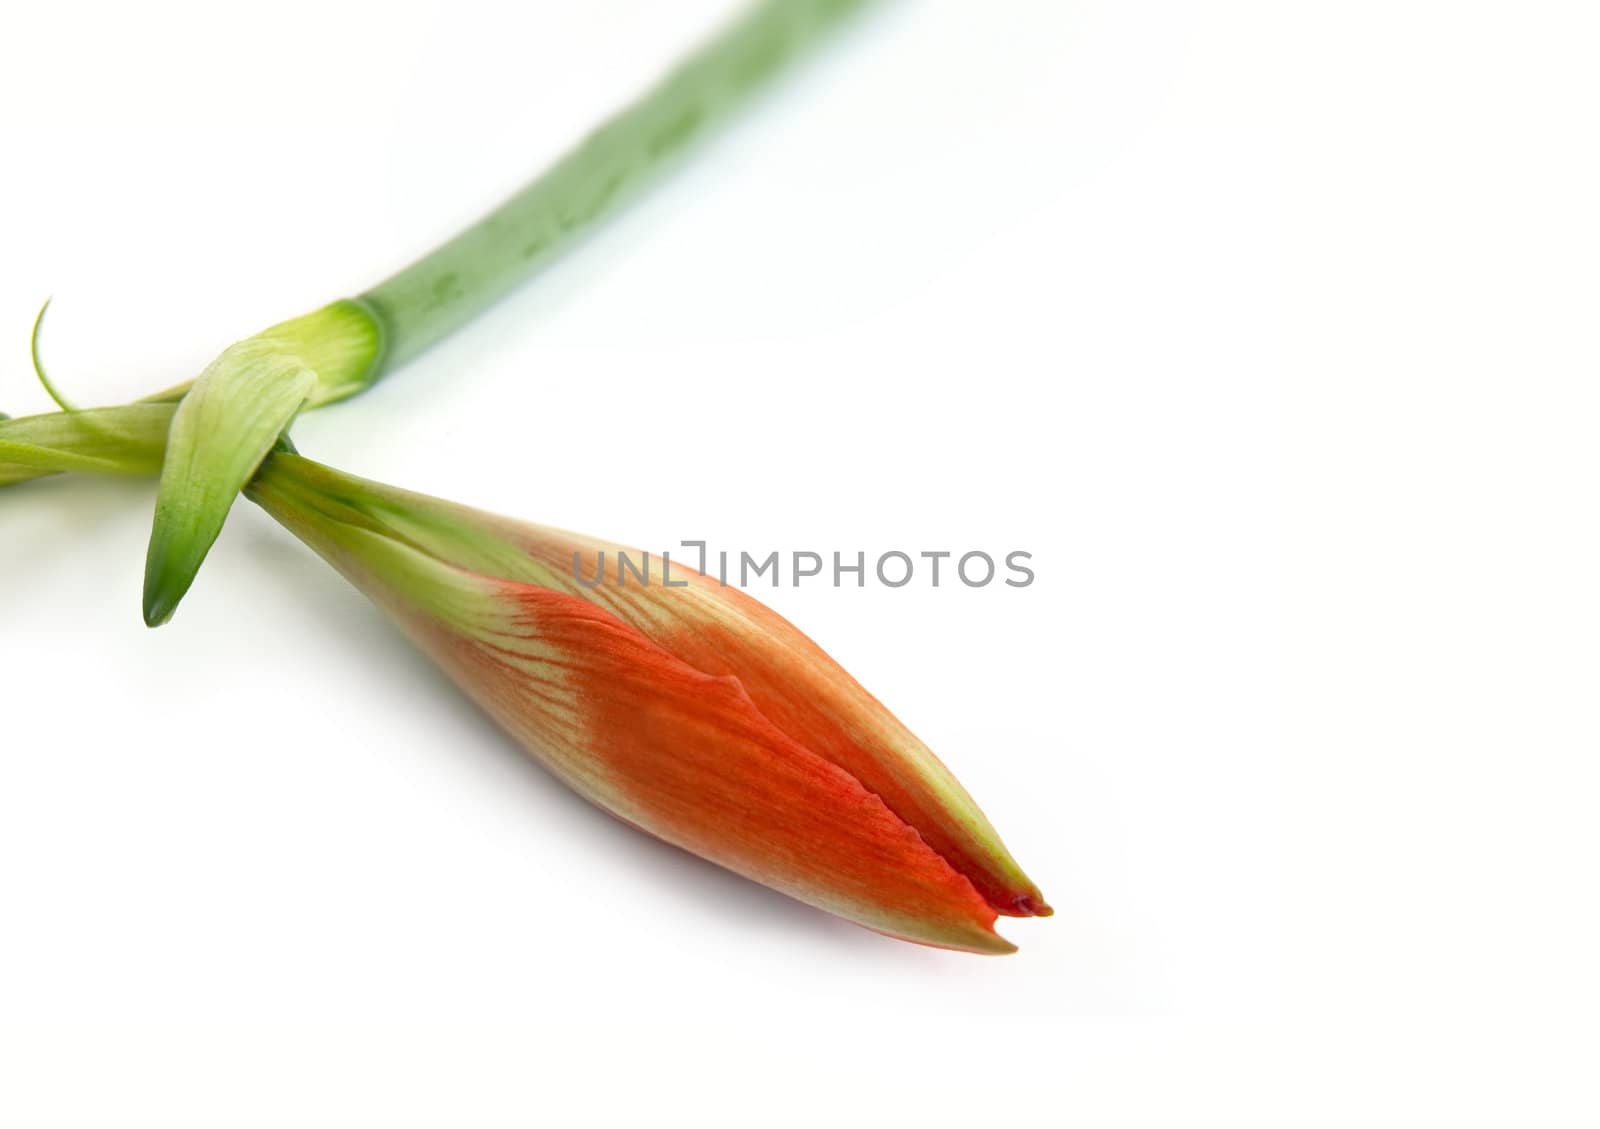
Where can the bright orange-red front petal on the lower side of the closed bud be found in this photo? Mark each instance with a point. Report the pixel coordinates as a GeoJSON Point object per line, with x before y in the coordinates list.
{"type": "Point", "coordinates": [692, 760]}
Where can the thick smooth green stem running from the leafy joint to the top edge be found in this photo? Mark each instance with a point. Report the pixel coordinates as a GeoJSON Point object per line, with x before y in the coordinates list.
{"type": "Point", "coordinates": [466, 276]}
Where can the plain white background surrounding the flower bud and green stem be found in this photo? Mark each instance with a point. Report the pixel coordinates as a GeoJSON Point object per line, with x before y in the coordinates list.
{"type": "Point", "coordinates": [1268, 330]}
